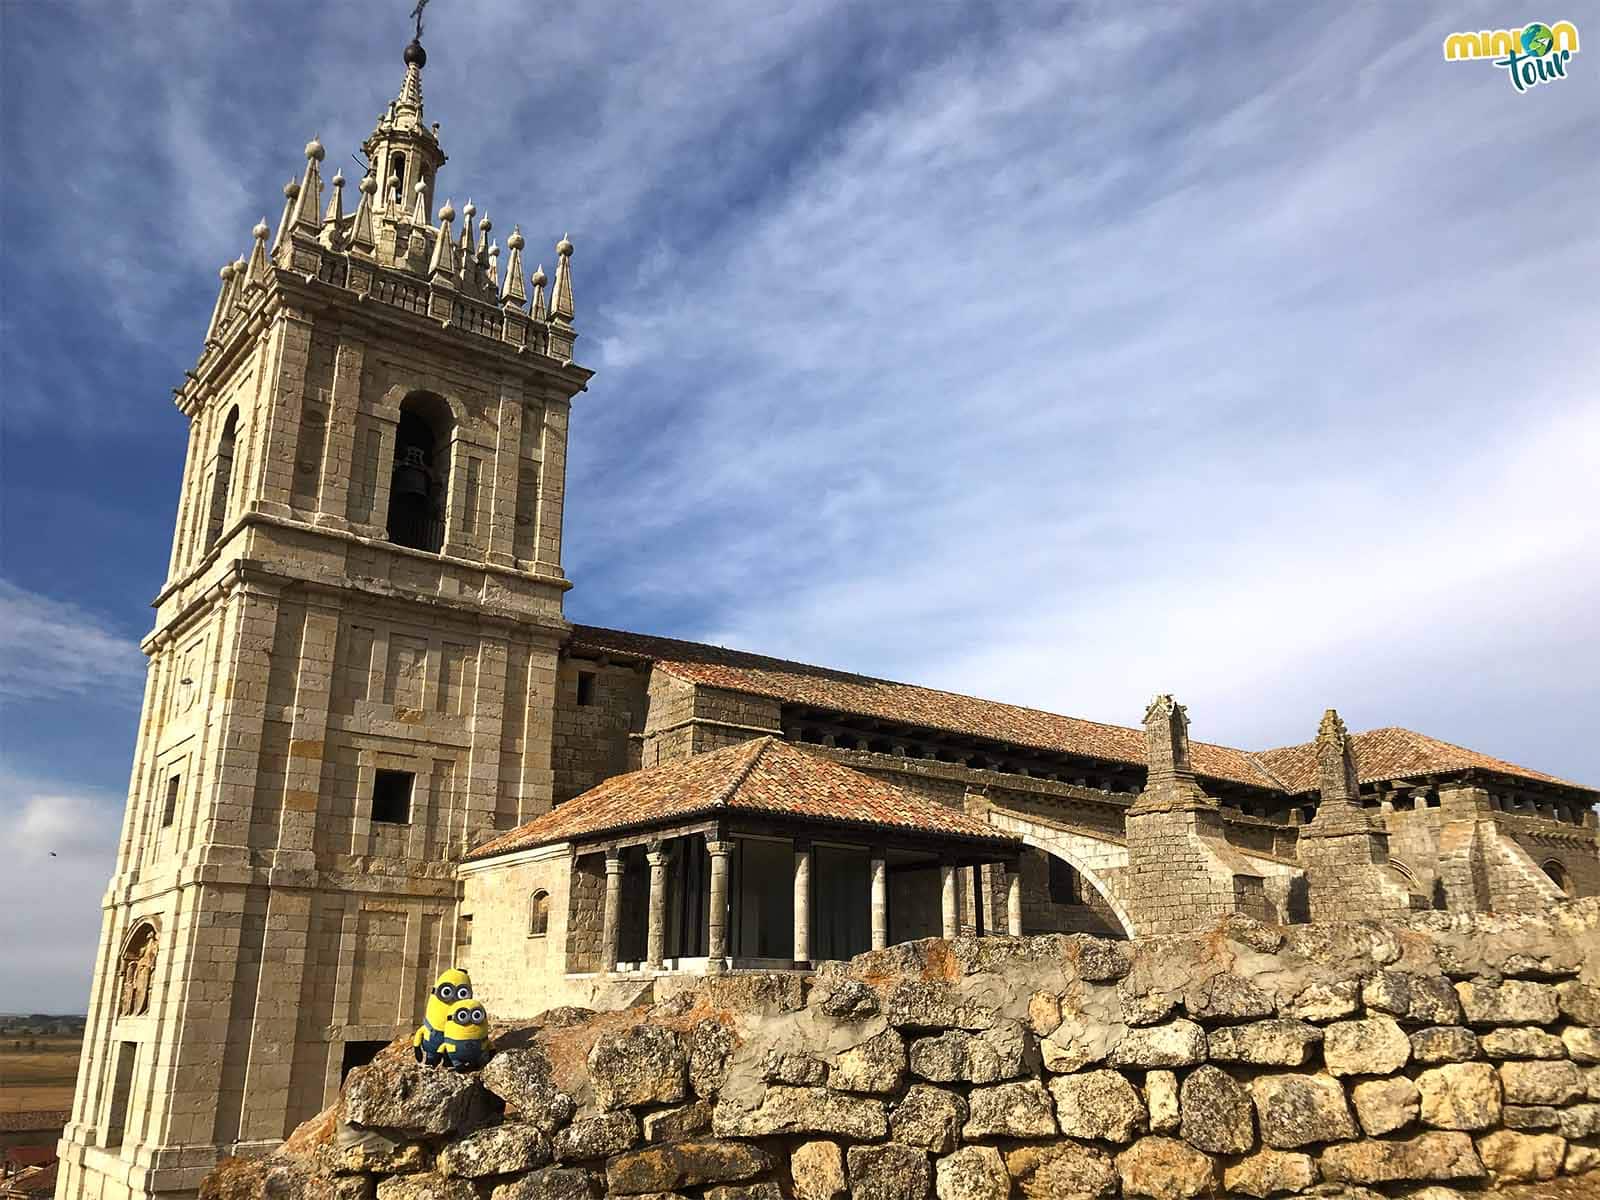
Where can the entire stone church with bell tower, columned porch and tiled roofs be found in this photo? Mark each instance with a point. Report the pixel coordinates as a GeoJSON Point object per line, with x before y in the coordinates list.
{"type": "Point", "coordinates": [372, 745]}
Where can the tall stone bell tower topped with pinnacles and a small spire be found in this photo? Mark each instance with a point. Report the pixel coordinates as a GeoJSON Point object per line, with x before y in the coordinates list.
{"type": "Point", "coordinates": [351, 676]}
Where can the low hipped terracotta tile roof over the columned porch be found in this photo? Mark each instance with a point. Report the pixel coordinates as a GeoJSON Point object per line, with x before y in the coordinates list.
{"type": "Point", "coordinates": [764, 775]}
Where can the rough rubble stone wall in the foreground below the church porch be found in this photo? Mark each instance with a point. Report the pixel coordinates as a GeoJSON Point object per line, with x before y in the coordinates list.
{"type": "Point", "coordinates": [1258, 1060]}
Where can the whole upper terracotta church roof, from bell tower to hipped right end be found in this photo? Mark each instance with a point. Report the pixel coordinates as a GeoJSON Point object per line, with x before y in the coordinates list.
{"type": "Point", "coordinates": [1383, 754]}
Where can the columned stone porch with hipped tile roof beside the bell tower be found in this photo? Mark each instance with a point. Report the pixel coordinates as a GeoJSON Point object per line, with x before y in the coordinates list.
{"type": "Point", "coordinates": [762, 857]}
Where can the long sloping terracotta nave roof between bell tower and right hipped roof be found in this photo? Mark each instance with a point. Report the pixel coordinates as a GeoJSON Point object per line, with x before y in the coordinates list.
{"type": "Point", "coordinates": [910, 705]}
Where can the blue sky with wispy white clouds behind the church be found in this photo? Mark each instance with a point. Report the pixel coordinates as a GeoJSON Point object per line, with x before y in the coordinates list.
{"type": "Point", "coordinates": [1052, 353]}
